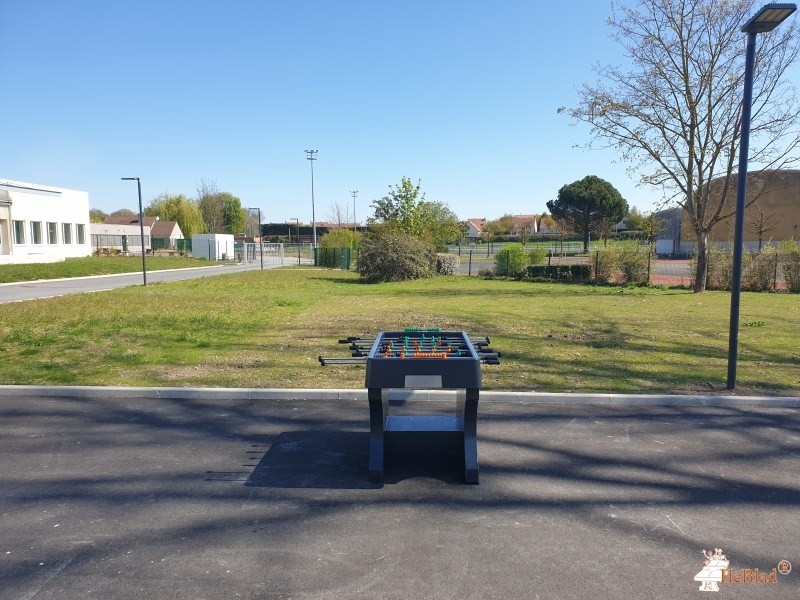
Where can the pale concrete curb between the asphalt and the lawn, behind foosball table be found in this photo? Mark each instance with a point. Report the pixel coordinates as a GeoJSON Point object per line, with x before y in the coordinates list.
{"type": "Point", "coordinates": [361, 394]}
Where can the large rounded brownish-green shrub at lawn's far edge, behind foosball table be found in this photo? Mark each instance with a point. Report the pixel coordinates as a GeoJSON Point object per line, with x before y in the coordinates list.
{"type": "Point", "coordinates": [390, 255]}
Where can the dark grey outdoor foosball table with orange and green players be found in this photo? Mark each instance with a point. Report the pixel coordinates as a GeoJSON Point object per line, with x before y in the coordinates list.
{"type": "Point", "coordinates": [421, 358]}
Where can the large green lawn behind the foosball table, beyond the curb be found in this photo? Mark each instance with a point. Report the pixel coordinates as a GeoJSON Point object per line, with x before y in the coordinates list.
{"type": "Point", "coordinates": [267, 328]}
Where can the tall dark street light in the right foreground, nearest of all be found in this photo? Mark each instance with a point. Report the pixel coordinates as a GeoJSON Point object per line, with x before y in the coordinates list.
{"type": "Point", "coordinates": [766, 19]}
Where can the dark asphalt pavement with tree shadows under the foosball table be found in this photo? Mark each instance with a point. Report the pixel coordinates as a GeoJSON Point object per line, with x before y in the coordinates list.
{"type": "Point", "coordinates": [125, 493]}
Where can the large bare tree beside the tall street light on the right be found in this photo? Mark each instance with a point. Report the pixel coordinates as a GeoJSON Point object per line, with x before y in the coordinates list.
{"type": "Point", "coordinates": [675, 115]}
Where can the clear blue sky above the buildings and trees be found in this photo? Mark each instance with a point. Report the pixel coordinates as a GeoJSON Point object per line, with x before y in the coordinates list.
{"type": "Point", "coordinates": [460, 95]}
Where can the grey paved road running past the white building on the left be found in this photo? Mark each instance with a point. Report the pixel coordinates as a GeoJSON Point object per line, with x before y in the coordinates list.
{"type": "Point", "coordinates": [31, 290]}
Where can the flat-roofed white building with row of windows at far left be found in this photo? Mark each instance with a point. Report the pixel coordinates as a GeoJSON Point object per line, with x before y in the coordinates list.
{"type": "Point", "coordinates": [41, 223]}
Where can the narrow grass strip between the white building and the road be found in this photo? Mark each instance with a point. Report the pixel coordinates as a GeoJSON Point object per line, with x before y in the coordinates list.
{"type": "Point", "coordinates": [94, 265]}
